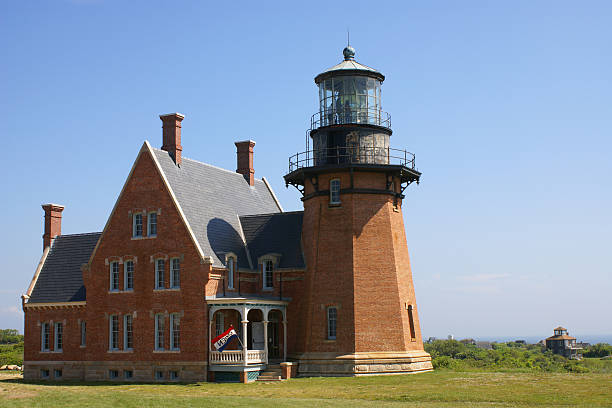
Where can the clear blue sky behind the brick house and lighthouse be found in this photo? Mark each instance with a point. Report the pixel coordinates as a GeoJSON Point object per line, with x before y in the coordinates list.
{"type": "Point", "coordinates": [507, 106]}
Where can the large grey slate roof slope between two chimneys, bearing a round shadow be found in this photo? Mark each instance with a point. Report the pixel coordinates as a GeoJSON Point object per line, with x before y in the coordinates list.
{"type": "Point", "coordinates": [212, 200]}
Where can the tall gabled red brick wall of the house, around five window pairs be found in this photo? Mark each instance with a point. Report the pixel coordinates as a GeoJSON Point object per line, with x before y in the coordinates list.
{"type": "Point", "coordinates": [145, 191]}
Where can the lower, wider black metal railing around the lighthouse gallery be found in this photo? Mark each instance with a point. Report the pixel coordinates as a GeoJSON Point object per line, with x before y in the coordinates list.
{"type": "Point", "coordinates": [351, 155]}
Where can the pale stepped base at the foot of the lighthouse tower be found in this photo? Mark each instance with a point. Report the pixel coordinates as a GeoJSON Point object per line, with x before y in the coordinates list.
{"type": "Point", "coordinates": [363, 363]}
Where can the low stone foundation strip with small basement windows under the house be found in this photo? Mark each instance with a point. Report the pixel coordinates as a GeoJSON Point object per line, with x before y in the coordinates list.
{"type": "Point", "coordinates": [185, 371]}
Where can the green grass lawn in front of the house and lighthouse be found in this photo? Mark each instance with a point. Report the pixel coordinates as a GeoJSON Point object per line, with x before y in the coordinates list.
{"type": "Point", "coordinates": [435, 389]}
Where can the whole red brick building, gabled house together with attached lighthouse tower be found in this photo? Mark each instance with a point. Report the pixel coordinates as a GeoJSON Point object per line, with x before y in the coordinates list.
{"type": "Point", "coordinates": [190, 249]}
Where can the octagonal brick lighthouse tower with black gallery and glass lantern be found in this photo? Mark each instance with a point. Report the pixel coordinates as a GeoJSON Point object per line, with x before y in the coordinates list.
{"type": "Point", "coordinates": [358, 314]}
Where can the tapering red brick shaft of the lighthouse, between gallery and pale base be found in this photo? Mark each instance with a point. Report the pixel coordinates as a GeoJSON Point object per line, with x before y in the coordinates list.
{"type": "Point", "coordinates": [358, 261]}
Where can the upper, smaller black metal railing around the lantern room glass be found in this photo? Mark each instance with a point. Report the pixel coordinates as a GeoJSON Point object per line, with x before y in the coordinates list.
{"type": "Point", "coordinates": [347, 115]}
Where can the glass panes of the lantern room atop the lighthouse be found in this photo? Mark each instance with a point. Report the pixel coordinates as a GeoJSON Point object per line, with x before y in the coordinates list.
{"type": "Point", "coordinates": [350, 99]}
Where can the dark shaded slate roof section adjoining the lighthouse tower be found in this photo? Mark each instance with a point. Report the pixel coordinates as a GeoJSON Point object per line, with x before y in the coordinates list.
{"type": "Point", "coordinates": [279, 233]}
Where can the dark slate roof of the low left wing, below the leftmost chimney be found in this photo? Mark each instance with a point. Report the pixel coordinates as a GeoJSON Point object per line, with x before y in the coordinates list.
{"type": "Point", "coordinates": [60, 279]}
